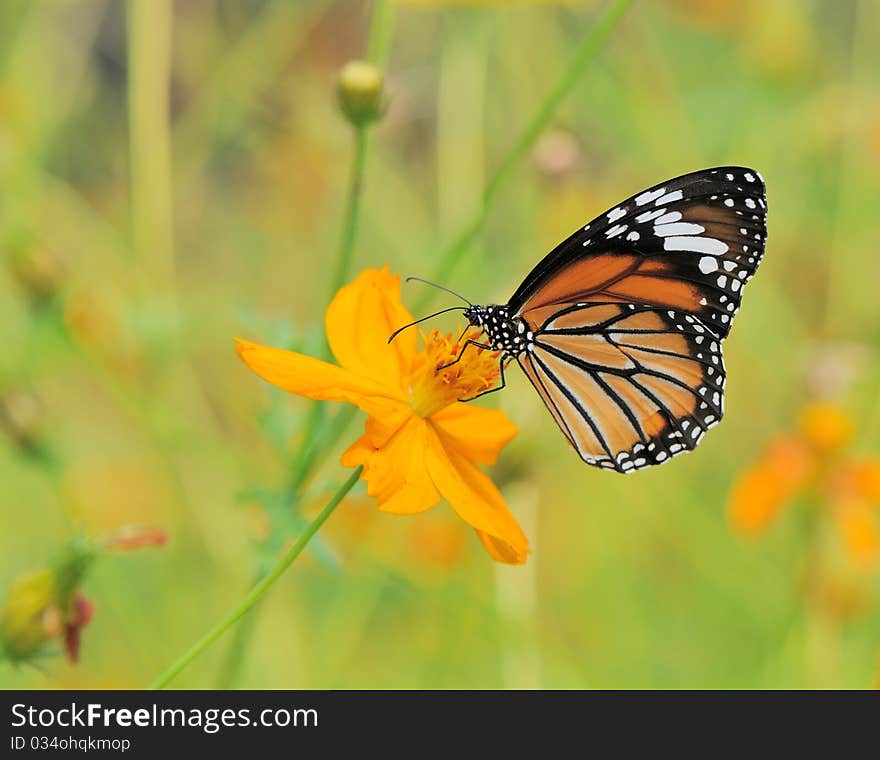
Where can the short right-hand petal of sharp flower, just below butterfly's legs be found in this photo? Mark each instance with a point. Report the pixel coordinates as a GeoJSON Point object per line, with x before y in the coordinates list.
{"type": "Point", "coordinates": [479, 434]}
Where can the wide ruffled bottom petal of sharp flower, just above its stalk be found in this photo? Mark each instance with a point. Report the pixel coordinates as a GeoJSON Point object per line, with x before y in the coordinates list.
{"type": "Point", "coordinates": [396, 474]}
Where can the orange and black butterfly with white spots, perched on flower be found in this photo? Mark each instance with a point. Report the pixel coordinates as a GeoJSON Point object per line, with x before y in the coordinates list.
{"type": "Point", "coordinates": [619, 328]}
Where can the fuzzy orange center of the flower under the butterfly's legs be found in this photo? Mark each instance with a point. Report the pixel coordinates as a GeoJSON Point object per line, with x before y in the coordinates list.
{"type": "Point", "coordinates": [432, 390]}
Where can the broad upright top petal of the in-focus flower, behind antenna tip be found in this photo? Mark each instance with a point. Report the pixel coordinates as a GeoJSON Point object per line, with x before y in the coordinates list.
{"type": "Point", "coordinates": [359, 322]}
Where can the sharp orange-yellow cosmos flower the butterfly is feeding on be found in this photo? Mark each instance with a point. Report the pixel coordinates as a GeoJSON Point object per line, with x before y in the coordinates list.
{"type": "Point", "coordinates": [421, 443]}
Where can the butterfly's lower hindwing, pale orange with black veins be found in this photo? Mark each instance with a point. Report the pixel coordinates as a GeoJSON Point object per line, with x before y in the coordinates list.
{"type": "Point", "coordinates": [629, 386]}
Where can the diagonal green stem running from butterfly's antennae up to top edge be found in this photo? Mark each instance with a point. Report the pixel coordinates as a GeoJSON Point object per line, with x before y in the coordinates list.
{"type": "Point", "coordinates": [586, 52]}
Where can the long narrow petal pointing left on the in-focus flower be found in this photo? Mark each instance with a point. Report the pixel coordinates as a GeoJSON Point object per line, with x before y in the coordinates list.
{"type": "Point", "coordinates": [315, 379]}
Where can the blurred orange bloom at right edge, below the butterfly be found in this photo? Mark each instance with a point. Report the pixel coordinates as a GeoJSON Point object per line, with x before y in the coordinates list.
{"type": "Point", "coordinates": [814, 459]}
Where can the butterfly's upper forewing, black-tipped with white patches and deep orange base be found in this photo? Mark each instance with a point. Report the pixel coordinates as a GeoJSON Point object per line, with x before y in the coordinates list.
{"type": "Point", "coordinates": [689, 244]}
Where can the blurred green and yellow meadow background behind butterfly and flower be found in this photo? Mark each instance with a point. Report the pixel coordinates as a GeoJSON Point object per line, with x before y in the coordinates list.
{"type": "Point", "coordinates": [174, 174]}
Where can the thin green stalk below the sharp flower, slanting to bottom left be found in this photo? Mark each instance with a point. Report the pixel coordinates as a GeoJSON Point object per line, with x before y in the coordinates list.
{"type": "Point", "coordinates": [260, 589]}
